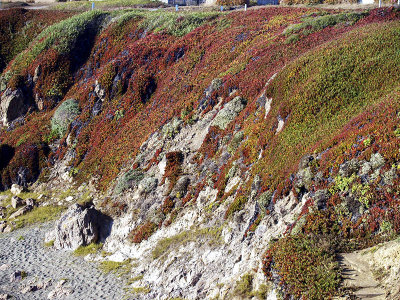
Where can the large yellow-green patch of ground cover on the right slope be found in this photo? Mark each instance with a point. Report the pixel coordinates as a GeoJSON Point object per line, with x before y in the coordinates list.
{"type": "Point", "coordinates": [321, 91]}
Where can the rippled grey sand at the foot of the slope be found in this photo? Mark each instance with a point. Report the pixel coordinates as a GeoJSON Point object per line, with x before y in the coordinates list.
{"type": "Point", "coordinates": [24, 250]}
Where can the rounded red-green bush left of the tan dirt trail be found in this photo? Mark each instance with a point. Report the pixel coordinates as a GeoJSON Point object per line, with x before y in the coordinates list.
{"type": "Point", "coordinates": [305, 265]}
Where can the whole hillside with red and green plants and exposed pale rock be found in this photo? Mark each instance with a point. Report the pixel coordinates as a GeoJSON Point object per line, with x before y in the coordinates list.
{"type": "Point", "coordinates": [238, 153]}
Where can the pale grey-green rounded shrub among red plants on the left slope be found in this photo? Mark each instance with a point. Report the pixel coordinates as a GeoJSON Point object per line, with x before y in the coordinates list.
{"type": "Point", "coordinates": [63, 116]}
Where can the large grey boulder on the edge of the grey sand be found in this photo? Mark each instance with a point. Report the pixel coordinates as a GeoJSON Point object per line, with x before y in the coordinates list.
{"type": "Point", "coordinates": [79, 226]}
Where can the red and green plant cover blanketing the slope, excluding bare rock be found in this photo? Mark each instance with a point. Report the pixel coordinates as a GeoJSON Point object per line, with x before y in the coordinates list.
{"type": "Point", "coordinates": [317, 118]}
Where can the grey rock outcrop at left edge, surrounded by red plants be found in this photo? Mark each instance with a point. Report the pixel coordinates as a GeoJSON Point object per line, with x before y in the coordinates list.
{"type": "Point", "coordinates": [13, 105]}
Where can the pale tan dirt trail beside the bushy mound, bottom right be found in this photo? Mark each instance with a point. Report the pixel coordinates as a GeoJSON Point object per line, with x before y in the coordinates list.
{"type": "Point", "coordinates": [359, 278]}
